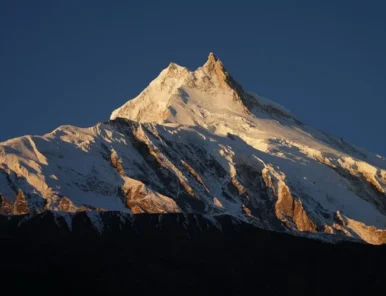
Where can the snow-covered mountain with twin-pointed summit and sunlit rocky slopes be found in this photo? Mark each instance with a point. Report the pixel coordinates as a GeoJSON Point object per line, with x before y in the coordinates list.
{"type": "Point", "coordinates": [197, 142]}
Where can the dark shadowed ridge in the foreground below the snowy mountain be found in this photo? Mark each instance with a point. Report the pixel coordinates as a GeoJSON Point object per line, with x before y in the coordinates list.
{"type": "Point", "coordinates": [180, 254]}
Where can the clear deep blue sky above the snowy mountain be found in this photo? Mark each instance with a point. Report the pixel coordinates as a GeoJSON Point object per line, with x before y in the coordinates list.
{"type": "Point", "coordinates": [73, 62]}
